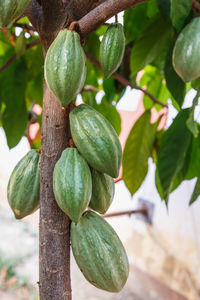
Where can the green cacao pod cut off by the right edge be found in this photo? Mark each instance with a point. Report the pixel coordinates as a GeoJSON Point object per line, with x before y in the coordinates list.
{"type": "Point", "coordinates": [186, 53]}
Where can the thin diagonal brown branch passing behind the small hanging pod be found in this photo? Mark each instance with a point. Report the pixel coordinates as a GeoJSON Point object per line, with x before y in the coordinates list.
{"type": "Point", "coordinates": [124, 81]}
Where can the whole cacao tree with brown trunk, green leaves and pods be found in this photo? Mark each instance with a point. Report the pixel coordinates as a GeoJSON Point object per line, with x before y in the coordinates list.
{"type": "Point", "coordinates": [159, 42]}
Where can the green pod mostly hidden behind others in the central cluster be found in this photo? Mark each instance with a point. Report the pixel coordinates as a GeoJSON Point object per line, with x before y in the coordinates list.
{"type": "Point", "coordinates": [103, 189]}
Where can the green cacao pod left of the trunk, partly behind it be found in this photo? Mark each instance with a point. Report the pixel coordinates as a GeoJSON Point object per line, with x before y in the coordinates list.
{"type": "Point", "coordinates": [23, 190]}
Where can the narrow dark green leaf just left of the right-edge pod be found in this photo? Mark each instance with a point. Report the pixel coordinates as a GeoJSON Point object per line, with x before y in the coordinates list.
{"type": "Point", "coordinates": [175, 84]}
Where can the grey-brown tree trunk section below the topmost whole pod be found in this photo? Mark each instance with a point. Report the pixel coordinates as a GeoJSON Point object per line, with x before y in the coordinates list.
{"type": "Point", "coordinates": [54, 255]}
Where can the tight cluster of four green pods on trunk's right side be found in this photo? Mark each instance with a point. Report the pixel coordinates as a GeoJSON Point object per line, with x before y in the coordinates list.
{"type": "Point", "coordinates": [83, 178]}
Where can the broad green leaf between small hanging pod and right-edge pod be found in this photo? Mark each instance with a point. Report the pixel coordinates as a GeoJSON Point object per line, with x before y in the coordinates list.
{"type": "Point", "coordinates": [150, 44]}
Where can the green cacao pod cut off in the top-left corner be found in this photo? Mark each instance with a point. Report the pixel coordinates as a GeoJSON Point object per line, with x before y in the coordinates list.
{"type": "Point", "coordinates": [11, 10]}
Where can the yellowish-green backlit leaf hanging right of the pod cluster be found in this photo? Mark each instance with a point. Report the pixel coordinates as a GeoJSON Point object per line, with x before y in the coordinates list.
{"type": "Point", "coordinates": [137, 150]}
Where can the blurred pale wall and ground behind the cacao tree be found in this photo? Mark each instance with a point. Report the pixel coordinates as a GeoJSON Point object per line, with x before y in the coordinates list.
{"type": "Point", "coordinates": [164, 256]}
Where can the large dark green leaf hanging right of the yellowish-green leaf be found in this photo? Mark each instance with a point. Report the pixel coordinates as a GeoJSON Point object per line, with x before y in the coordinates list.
{"type": "Point", "coordinates": [172, 152]}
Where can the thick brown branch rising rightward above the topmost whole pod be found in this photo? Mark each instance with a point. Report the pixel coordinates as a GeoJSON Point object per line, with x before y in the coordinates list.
{"type": "Point", "coordinates": [103, 12]}
